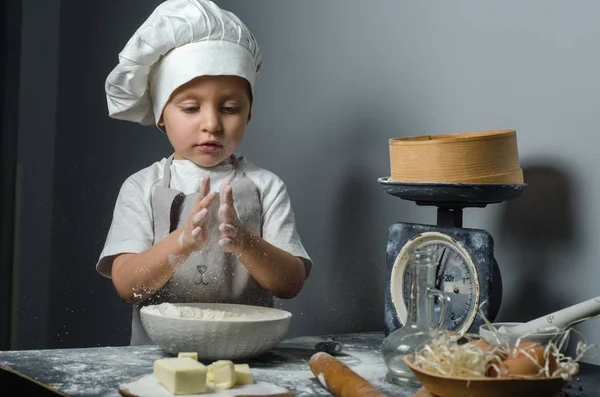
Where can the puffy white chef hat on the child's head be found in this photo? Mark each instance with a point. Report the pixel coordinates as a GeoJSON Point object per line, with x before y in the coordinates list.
{"type": "Point", "coordinates": [180, 40]}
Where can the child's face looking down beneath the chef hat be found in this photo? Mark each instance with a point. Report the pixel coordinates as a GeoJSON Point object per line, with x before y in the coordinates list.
{"type": "Point", "coordinates": [205, 118]}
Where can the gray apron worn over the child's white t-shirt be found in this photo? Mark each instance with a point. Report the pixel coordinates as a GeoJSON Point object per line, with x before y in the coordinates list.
{"type": "Point", "coordinates": [211, 274]}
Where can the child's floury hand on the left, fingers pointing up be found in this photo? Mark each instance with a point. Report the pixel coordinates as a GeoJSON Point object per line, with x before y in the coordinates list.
{"type": "Point", "coordinates": [195, 231]}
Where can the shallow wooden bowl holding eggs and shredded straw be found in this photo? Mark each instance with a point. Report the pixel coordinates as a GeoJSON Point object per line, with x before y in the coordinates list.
{"type": "Point", "coordinates": [445, 386]}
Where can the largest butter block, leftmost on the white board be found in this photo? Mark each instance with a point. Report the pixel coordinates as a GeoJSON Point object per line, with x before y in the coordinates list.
{"type": "Point", "coordinates": [181, 375]}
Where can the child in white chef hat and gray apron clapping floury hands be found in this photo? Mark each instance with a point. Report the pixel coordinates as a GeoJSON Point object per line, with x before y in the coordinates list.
{"type": "Point", "coordinates": [202, 225]}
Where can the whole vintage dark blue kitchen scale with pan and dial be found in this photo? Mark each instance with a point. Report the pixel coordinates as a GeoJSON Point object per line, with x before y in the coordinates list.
{"type": "Point", "coordinates": [467, 270]}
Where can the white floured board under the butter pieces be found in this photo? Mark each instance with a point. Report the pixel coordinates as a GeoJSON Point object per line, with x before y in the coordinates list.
{"type": "Point", "coordinates": [149, 386]}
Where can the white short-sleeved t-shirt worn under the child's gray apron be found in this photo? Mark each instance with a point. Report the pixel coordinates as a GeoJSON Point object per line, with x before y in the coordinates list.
{"type": "Point", "coordinates": [131, 230]}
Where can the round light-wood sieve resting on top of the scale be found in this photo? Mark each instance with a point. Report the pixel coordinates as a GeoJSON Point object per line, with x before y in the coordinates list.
{"type": "Point", "coordinates": [470, 157]}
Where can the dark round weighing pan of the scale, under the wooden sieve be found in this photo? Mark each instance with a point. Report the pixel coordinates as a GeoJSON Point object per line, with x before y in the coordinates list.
{"type": "Point", "coordinates": [452, 194]}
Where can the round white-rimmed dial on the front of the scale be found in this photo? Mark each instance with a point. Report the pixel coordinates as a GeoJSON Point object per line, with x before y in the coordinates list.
{"type": "Point", "coordinates": [456, 275]}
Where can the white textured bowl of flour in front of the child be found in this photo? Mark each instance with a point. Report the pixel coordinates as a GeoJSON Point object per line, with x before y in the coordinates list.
{"type": "Point", "coordinates": [236, 332]}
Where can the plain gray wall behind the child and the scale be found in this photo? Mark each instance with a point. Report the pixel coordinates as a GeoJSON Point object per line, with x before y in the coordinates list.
{"type": "Point", "coordinates": [340, 78]}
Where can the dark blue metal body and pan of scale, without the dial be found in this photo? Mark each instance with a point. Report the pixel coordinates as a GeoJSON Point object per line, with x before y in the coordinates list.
{"type": "Point", "coordinates": [451, 199]}
